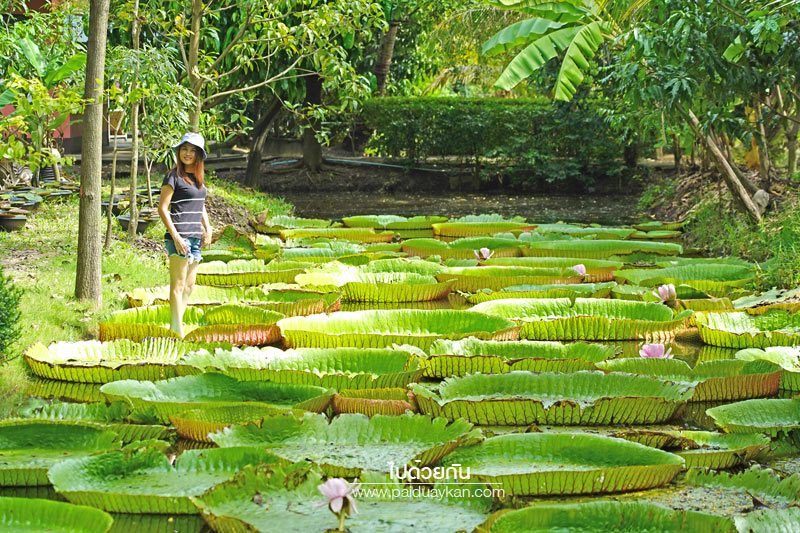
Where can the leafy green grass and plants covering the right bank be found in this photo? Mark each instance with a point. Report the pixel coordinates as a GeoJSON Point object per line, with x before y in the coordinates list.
{"type": "Point", "coordinates": [776, 242]}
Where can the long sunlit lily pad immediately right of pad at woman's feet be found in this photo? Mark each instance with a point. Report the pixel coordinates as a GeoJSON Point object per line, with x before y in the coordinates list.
{"type": "Point", "coordinates": [378, 329]}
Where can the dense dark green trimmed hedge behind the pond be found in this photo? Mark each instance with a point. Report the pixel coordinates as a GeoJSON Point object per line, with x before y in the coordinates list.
{"type": "Point", "coordinates": [535, 140]}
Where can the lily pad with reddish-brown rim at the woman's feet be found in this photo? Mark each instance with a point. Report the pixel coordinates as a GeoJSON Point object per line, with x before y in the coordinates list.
{"type": "Point", "coordinates": [232, 323]}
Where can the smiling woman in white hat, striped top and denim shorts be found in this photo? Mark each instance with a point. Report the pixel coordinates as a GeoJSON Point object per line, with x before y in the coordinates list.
{"type": "Point", "coordinates": [182, 207]}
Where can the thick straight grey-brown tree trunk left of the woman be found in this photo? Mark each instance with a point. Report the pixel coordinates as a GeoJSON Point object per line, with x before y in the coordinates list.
{"type": "Point", "coordinates": [88, 277]}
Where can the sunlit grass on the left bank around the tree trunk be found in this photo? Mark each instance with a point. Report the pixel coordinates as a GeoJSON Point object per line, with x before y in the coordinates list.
{"type": "Point", "coordinates": [42, 260]}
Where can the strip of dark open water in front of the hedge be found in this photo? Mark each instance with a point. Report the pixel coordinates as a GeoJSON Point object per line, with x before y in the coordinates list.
{"type": "Point", "coordinates": [588, 208]}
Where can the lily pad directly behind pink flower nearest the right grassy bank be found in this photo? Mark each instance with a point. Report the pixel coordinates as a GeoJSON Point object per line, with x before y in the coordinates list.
{"type": "Point", "coordinates": [713, 279]}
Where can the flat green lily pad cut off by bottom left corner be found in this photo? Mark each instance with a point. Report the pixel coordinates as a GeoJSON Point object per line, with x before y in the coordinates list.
{"type": "Point", "coordinates": [24, 514]}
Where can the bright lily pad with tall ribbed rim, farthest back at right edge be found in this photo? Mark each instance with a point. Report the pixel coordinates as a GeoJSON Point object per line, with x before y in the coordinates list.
{"type": "Point", "coordinates": [741, 330]}
